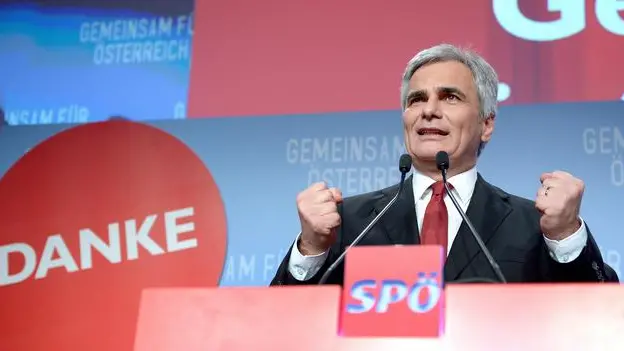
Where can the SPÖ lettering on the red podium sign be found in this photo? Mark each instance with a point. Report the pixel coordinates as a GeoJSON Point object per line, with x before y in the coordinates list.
{"type": "Point", "coordinates": [420, 296]}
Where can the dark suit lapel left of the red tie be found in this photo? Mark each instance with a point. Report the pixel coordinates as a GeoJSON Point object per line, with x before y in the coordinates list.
{"type": "Point", "coordinates": [399, 222]}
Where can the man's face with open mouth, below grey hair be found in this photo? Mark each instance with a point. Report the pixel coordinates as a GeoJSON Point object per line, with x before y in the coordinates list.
{"type": "Point", "coordinates": [442, 114]}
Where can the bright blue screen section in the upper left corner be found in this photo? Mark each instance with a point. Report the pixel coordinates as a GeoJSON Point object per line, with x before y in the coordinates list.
{"type": "Point", "coordinates": [75, 62]}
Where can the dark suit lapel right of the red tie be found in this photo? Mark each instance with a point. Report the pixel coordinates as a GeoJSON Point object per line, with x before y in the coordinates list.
{"type": "Point", "coordinates": [487, 210]}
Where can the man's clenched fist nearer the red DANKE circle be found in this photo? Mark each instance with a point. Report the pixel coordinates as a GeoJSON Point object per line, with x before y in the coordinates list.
{"type": "Point", "coordinates": [318, 213]}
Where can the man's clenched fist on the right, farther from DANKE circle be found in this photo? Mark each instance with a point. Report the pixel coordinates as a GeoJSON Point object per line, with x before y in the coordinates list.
{"type": "Point", "coordinates": [559, 201]}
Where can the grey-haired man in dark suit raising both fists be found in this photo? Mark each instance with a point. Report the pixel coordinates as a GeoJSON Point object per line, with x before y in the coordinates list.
{"type": "Point", "coordinates": [449, 98]}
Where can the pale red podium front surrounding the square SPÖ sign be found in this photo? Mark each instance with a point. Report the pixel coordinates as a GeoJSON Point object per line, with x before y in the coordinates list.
{"type": "Point", "coordinates": [478, 317]}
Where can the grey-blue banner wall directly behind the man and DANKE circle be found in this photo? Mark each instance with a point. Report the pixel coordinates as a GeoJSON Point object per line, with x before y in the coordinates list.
{"type": "Point", "coordinates": [260, 164]}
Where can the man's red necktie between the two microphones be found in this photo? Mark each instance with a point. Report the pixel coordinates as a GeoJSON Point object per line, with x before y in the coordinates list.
{"type": "Point", "coordinates": [435, 223]}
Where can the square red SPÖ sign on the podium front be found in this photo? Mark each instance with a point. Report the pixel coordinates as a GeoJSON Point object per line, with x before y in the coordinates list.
{"type": "Point", "coordinates": [393, 291]}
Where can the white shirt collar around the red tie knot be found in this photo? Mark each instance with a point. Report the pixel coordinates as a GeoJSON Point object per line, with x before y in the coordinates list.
{"type": "Point", "coordinates": [463, 185]}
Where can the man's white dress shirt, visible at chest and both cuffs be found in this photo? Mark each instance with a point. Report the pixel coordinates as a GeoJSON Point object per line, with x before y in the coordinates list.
{"type": "Point", "coordinates": [305, 267]}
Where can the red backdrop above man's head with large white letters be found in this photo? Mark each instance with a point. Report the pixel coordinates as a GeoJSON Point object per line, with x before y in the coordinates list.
{"type": "Point", "coordinates": [282, 56]}
